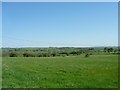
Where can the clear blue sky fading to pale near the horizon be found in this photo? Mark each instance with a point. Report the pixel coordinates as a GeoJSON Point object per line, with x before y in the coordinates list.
{"type": "Point", "coordinates": [68, 24]}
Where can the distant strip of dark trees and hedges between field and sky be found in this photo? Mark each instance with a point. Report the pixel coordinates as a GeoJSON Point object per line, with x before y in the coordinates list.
{"type": "Point", "coordinates": [61, 51]}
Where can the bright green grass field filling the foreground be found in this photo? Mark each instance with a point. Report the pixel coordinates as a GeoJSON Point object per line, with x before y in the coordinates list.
{"type": "Point", "coordinates": [96, 71]}
